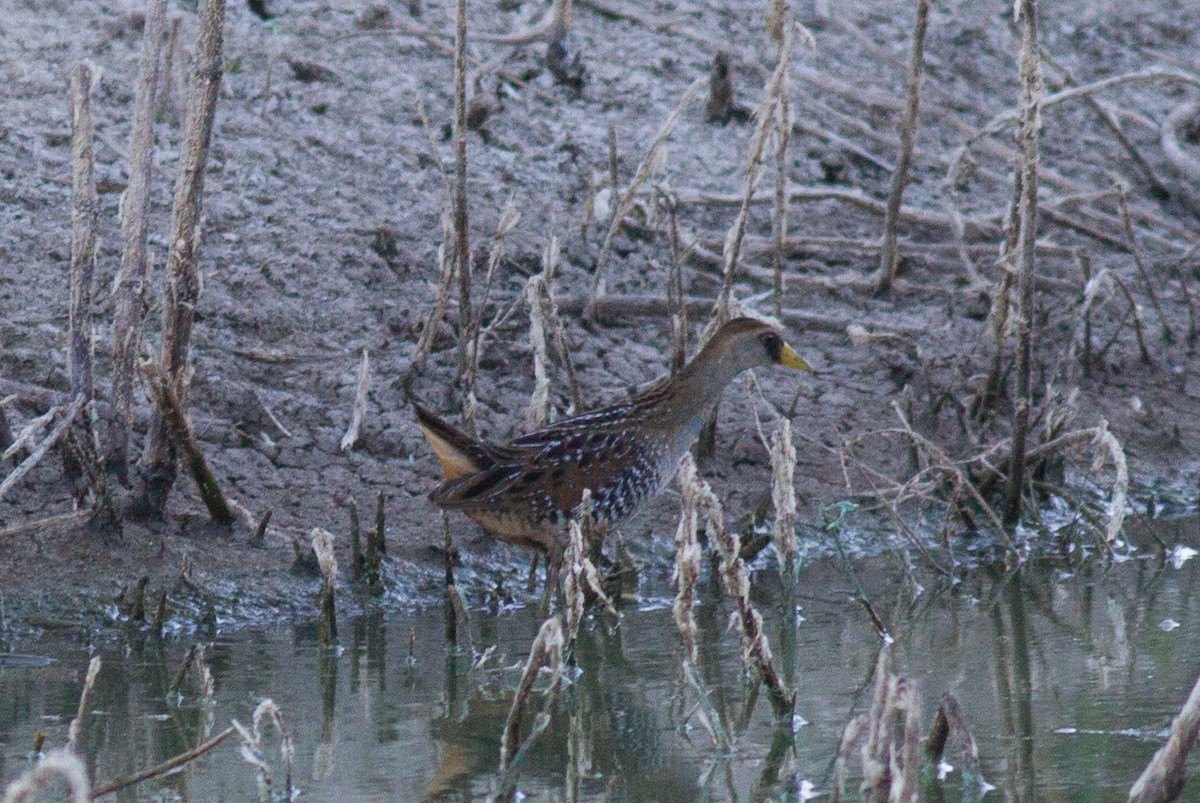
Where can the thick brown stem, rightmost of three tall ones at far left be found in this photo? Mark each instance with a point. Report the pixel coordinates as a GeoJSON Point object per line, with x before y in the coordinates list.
{"type": "Point", "coordinates": [182, 285]}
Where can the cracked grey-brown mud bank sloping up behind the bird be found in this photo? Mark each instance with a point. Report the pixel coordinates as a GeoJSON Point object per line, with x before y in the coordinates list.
{"type": "Point", "coordinates": [322, 225]}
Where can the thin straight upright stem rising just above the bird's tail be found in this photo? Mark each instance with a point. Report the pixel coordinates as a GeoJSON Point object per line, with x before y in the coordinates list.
{"type": "Point", "coordinates": [461, 231]}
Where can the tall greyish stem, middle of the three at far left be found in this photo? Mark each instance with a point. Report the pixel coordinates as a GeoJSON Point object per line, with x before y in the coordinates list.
{"type": "Point", "coordinates": [129, 290]}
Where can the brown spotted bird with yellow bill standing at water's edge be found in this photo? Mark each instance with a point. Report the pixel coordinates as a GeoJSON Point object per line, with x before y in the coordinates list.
{"type": "Point", "coordinates": [526, 492]}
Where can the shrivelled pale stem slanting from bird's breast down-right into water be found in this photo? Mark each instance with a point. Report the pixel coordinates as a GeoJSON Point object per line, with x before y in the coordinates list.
{"type": "Point", "coordinates": [755, 648]}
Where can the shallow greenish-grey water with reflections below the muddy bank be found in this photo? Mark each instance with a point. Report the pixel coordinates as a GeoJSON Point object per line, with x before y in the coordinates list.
{"type": "Point", "coordinates": [1067, 679]}
